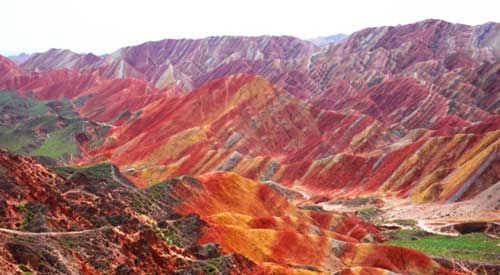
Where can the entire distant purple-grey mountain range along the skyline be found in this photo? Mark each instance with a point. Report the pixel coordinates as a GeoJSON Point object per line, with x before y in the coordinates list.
{"type": "Point", "coordinates": [288, 61]}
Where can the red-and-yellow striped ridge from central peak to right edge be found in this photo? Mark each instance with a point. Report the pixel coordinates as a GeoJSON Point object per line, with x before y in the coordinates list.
{"type": "Point", "coordinates": [244, 124]}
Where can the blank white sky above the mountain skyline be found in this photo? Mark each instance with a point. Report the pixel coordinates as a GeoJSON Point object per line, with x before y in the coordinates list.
{"type": "Point", "coordinates": [102, 26]}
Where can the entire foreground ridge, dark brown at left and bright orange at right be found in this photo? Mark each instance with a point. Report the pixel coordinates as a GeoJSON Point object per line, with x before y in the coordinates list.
{"type": "Point", "coordinates": [92, 220]}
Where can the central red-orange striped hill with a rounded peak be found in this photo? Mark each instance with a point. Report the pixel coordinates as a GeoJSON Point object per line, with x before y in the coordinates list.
{"type": "Point", "coordinates": [249, 123]}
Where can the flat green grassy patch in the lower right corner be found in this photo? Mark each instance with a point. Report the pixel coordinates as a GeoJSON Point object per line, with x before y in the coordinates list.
{"type": "Point", "coordinates": [474, 246]}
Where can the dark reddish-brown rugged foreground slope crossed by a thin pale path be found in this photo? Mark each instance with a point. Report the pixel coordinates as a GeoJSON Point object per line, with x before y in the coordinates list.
{"type": "Point", "coordinates": [93, 221]}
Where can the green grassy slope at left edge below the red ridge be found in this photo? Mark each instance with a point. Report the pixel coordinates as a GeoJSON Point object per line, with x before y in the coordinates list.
{"type": "Point", "coordinates": [17, 134]}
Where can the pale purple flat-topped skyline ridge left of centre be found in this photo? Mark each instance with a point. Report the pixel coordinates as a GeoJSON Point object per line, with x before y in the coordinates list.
{"type": "Point", "coordinates": [189, 63]}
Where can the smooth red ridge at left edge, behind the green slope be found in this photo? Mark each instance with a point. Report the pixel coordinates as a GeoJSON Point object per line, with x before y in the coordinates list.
{"type": "Point", "coordinates": [94, 96]}
